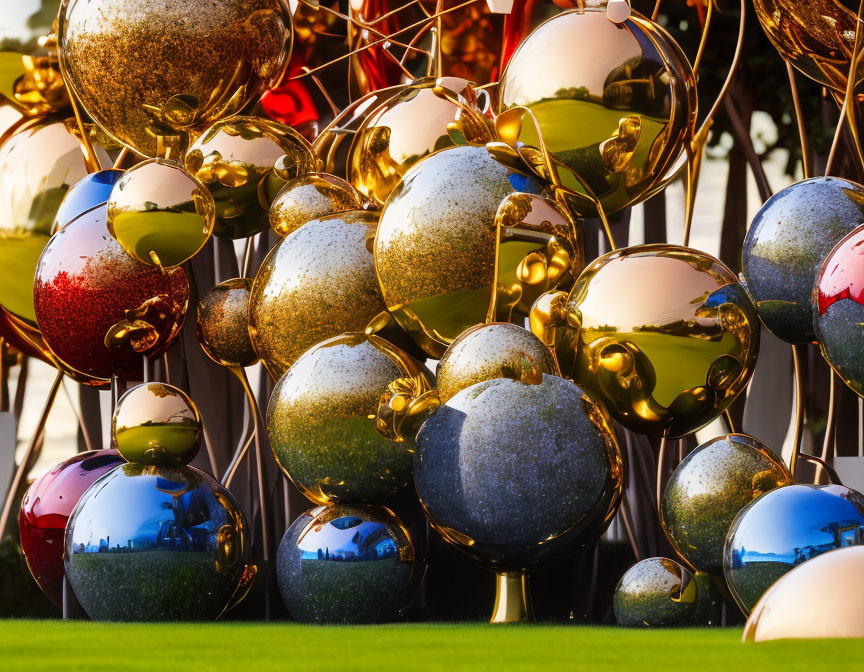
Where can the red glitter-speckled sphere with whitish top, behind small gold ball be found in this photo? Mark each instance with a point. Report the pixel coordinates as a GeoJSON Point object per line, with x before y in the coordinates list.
{"type": "Point", "coordinates": [99, 309]}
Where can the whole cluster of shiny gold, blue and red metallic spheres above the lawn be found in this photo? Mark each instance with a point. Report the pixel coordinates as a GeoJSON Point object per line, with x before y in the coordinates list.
{"type": "Point", "coordinates": [430, 221]}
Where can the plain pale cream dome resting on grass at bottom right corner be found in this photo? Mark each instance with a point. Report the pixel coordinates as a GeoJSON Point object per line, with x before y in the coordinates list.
{"type": "Point", "coordinates": [823, 598]}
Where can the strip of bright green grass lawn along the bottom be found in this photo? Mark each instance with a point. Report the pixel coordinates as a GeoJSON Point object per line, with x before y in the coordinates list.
{"type": "Point", "coordinates": [240, 647]}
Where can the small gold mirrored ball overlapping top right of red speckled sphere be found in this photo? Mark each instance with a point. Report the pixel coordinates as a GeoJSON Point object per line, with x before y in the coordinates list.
{"type": "Point", "coordinates": [160, 213]}
